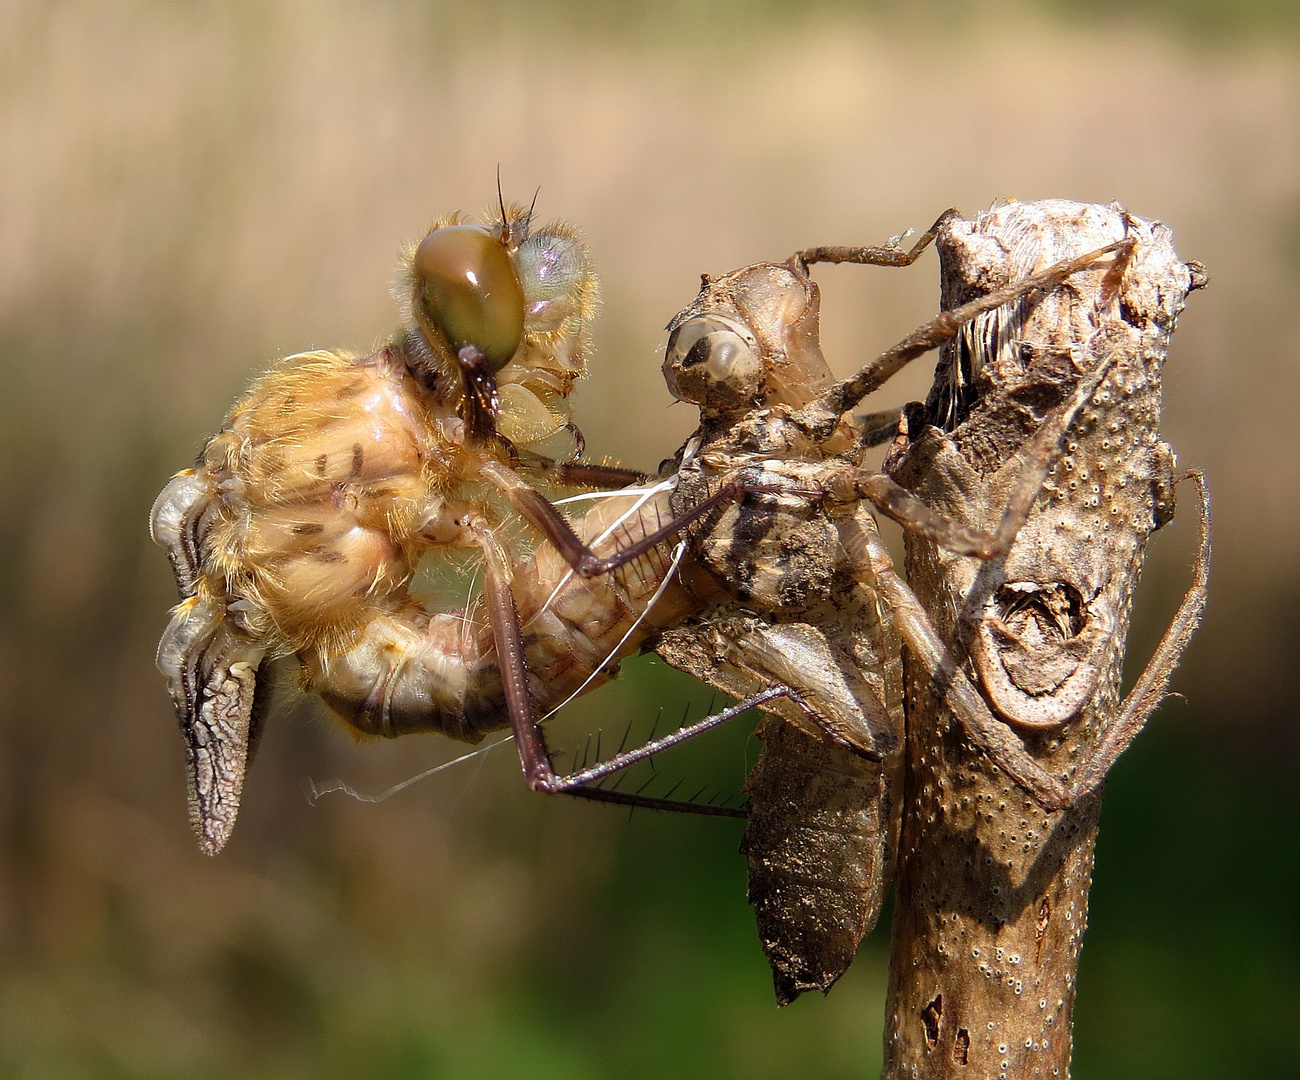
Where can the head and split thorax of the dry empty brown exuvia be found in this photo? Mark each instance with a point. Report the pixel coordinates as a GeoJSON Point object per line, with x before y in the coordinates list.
{"type": "Point", "coordinates": [748, 354]}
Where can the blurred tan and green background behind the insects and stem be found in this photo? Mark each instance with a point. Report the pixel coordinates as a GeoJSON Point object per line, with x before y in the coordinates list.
{"type": "Point", "coordinates": [189, 192]}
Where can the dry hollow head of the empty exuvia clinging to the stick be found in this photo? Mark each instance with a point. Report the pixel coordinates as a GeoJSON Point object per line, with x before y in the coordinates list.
{"type": "Point", "coordinates": [748, 354]}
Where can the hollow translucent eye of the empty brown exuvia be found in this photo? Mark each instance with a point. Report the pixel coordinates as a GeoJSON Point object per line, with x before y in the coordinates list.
{"type": "Point", "coordinates": [716, 363]}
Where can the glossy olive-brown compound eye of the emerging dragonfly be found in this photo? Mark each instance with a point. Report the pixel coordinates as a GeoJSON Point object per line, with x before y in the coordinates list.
{"type": "Point", "coordinates": [470, 292]}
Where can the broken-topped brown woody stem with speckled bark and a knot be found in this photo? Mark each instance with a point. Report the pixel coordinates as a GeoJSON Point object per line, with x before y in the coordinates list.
{"type": "Point", "coordinates": [993, 890]}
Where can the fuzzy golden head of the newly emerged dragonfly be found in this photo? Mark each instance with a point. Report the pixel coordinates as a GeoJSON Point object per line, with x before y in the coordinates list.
{"type": "Point", "coordinates": [497, 322]}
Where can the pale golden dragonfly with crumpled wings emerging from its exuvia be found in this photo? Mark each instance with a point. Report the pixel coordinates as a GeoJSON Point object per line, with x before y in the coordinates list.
{"type": "Point", "coordinates": [297, 536]}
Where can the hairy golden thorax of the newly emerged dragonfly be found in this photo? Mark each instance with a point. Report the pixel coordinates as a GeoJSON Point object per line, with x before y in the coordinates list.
{"type": "Point", "coordinates": [336, 475]}
